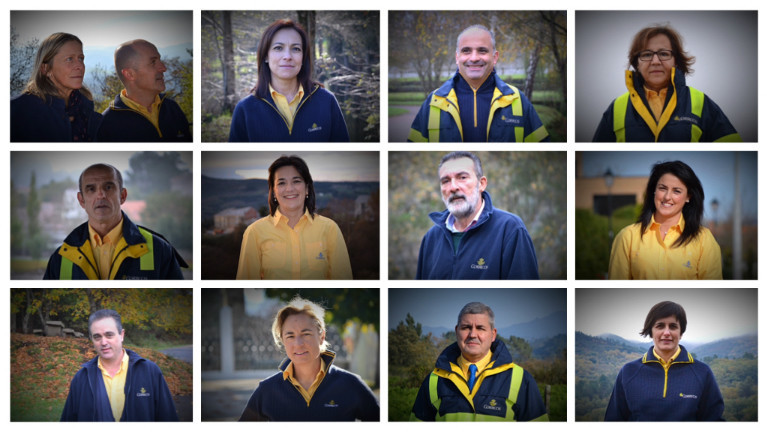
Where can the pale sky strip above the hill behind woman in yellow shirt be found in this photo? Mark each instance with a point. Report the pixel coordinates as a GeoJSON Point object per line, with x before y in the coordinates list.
{"type": "Point", "coordinates": [324, 166]}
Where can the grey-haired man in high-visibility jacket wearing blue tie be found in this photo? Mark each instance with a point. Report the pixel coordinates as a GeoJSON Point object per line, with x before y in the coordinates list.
{"type": "Point", "coordinates": [475, 380]}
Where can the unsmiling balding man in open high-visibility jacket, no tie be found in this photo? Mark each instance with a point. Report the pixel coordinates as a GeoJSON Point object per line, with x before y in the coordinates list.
{"type": "Point", "coordinates": [109, 245]}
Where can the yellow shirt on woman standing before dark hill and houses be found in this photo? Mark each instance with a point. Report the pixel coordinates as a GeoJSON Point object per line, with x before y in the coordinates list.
{"type": "Point", "coordinates": [313, 249]}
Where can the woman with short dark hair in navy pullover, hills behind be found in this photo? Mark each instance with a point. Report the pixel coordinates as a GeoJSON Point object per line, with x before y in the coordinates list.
{"type": "Point", "coordinates": [650, 389]}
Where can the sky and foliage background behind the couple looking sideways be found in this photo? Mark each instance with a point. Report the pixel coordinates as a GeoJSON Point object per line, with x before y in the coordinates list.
{"type": "Point", "coordinates": [101, 33]}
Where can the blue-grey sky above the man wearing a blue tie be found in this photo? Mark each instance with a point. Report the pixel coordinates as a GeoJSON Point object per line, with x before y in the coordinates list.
{"type": "Point", "coordinates": [439, 307]}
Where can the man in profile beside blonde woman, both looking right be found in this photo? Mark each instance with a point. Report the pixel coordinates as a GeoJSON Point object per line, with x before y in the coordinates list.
{"type": "Point", "coordinates": [142, 112]}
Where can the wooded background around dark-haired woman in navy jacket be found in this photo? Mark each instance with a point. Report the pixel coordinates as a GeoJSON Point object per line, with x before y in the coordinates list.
{"type": "Point", "coordinates": [346, 51]}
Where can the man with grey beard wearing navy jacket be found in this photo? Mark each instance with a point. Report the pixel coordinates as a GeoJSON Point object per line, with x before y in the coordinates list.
{"type": "Point", "coordinates": [472, 239]}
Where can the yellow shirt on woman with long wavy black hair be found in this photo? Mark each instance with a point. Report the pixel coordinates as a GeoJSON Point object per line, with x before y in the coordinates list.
{"type": "Point", "coordinates": [646, 256]}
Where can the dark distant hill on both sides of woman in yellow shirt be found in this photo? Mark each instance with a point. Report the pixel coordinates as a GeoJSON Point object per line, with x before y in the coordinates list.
{"type": "Point", "coordinates": [219, 194]}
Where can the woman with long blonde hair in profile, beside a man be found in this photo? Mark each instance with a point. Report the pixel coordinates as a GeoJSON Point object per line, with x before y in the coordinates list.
{"type": "Point", "coordinates": [55, 105]}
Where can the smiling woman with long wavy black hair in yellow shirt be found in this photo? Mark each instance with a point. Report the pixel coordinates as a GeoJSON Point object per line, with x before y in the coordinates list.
{"type": "Point", "coordinates": [668, 241]}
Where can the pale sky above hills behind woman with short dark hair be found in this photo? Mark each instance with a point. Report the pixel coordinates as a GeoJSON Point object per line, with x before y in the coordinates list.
{"type": "Point", "coordinates": [712, 314]}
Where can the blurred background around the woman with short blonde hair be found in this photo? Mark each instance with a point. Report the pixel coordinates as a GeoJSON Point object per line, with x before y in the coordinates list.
{"type": "Point", "coordinates": [238, 350]}
